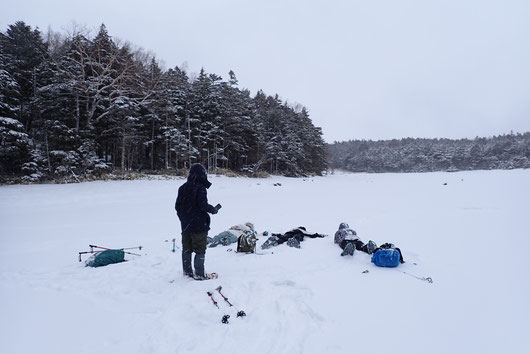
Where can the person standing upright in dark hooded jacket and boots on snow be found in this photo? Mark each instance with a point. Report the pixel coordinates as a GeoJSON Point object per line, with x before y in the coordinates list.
{"type": "Point", "coordinates": [192, 209]}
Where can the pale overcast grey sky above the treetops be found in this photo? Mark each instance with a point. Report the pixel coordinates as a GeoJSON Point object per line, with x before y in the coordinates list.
{"type": "Point", "coordinates": [365, 69]}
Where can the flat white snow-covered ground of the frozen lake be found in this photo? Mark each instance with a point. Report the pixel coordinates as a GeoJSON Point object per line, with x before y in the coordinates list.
{"type": "Point", "coordinates": [468, 231]}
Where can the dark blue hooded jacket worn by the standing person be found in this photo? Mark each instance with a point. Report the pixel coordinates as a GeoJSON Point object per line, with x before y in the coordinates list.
{"type": "Point", "coordinates": [192, 203]}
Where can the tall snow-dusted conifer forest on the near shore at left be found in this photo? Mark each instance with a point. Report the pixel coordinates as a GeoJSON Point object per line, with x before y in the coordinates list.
{"type": "Point", "coordinates": [73, 106]}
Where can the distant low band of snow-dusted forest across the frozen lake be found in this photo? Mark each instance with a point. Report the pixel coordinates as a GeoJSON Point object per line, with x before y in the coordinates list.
{"type": "Point", "coordinates": [425, 155]}
